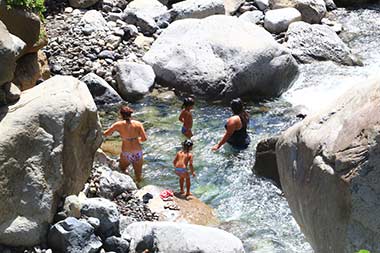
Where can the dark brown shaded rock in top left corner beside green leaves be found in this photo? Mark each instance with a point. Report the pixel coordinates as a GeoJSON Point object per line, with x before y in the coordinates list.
{"type": "Point", "coordinates": [15, 20]}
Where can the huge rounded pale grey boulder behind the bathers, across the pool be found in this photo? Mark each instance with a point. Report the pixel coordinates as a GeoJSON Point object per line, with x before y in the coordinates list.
{"type": "Point", "coordinates": [195, 55]}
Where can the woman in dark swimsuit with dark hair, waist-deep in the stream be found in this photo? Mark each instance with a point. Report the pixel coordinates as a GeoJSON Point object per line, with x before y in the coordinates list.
{"type": "Point", "coordinates": [236, 127]}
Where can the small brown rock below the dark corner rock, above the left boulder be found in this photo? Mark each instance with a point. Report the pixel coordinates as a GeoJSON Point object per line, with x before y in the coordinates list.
{"type": "Point", "coordinates": [27, 71]}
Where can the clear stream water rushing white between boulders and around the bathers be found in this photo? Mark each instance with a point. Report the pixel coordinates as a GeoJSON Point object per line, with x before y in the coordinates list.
{"type": "Point", "coordinates": [248, 206]}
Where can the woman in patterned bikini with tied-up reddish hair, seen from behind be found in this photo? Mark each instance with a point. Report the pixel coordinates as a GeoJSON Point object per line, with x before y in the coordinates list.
{"type": "Point", "coordinates": [132, 134]}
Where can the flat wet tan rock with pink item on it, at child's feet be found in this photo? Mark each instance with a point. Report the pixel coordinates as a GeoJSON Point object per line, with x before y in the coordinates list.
{"type": "Point", "coordinates": [191, 210]}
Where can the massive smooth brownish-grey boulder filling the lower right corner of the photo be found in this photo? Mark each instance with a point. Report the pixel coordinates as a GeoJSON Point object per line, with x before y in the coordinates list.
{"type": "Point", "coordinates": [329, 166]}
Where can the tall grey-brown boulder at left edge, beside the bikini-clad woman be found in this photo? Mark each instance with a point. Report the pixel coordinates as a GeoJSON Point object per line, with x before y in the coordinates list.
{"type": "Point", "coordinates": [47, 143]}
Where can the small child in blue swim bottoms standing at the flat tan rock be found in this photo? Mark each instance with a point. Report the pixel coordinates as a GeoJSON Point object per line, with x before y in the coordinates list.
{"type": "Point", "coordinates": [182, 160]}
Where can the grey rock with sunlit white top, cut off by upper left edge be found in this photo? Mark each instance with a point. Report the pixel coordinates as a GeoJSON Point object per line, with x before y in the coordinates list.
{"type": "Point", "coordinates": [10, 49]}
